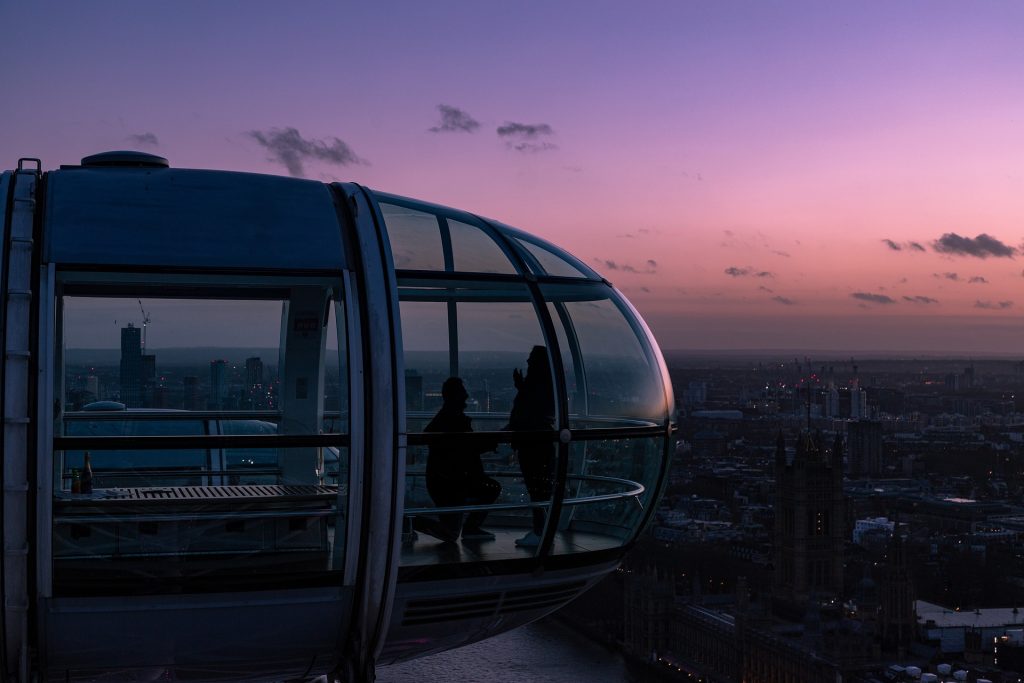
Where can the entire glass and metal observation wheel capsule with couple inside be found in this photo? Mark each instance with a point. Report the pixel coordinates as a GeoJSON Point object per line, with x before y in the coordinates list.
{"type": "Point", "coordinates": [328, 429]}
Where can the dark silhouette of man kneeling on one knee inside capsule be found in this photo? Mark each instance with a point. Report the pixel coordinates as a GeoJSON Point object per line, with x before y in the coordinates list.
{"type": "Point", "coordinates": [455, 474]}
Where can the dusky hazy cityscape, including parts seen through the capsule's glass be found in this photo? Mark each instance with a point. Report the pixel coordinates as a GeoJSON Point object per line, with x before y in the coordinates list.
{"type": "Point", "coordinates": [825, 516]}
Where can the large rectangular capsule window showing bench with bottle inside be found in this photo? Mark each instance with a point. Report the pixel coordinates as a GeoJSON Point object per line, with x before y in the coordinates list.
{"type": "Point", "coordinates": [175, 473]}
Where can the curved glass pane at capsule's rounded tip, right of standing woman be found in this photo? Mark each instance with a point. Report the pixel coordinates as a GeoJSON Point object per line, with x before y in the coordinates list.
{"type": "Point", "coordinates": [615, 372]}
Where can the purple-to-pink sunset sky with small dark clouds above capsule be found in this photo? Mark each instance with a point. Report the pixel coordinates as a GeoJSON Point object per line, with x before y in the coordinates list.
{"type": "Point", "coordinates": [752, 176]}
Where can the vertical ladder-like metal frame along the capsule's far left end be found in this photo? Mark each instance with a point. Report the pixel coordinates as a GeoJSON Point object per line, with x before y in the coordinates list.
{"type": "Point", "coordinates": [17, 282]}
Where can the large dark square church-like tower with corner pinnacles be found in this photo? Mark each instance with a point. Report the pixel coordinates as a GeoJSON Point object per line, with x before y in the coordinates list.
{"type": "Point", "coordinates": [810, 520]}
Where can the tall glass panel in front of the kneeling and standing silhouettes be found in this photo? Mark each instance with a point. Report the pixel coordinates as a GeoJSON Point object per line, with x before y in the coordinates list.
{"type": "Point", "coordinates": [495, 376]}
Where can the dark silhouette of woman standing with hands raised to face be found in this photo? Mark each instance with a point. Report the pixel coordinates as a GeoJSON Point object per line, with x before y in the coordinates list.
{"type": "Point", "coordinates": [534, 409]}
